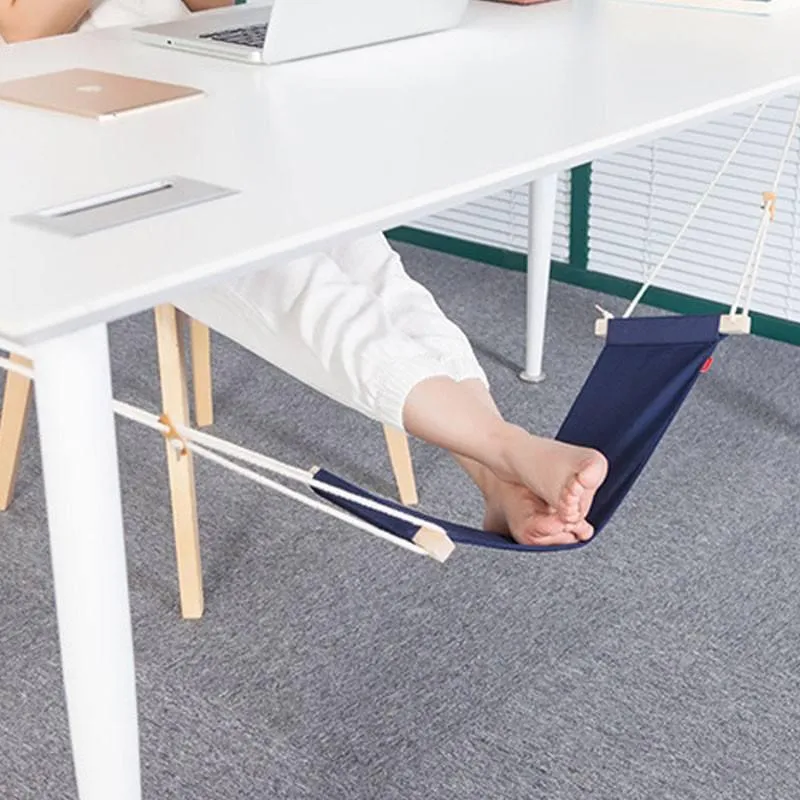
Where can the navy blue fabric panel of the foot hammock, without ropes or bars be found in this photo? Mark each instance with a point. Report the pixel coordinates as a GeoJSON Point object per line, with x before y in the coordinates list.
{"type": "Point", "coordinates": [639, 382]}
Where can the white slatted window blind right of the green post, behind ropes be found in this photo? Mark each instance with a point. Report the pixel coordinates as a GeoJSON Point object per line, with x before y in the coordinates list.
{"type": "Point", "coordinates": [640, 198]}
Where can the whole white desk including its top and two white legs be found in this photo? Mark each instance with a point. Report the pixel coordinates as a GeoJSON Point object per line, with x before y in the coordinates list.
{"type": "Point", "coordinates": [319, 150]}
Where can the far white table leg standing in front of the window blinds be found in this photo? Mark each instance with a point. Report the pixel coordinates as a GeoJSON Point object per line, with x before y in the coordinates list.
{"type": "Point", "coordinates": [541, 219]}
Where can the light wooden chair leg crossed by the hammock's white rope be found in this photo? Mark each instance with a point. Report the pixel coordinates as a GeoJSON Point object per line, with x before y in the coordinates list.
{"type": "Point", "coordinates": [175, 400]}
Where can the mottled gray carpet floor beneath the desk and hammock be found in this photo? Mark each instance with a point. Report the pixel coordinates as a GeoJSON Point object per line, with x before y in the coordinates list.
{"type": "Point", "coordinates": [661, 662]}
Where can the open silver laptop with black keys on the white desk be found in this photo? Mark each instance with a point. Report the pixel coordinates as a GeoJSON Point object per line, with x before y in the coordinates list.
{"type": "Point", "coordinates": [291, 29]}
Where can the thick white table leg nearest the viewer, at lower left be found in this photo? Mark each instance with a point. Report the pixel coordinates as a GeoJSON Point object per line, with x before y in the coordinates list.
{"type": "Point", "coordinates": [79, 456]}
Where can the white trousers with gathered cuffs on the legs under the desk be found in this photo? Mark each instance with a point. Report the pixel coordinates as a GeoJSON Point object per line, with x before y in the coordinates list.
{"type": "Point", "coordinates": [347, 338]}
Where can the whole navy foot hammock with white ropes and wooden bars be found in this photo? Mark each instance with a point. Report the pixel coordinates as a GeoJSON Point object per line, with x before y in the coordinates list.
{"type": "Point", "coordinates": [642, 377]}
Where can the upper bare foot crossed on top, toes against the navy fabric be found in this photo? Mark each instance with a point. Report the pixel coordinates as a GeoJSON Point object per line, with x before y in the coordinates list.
{"type": "Point", "coordinates": [564, 476]}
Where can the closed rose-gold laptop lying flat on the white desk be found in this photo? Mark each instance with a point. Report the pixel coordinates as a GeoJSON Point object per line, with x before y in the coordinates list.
{"type": "Point", "coordinates": [89, 93]}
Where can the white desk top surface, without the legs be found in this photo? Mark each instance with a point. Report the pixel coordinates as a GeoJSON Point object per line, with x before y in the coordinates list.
{"type": "Point", "coordinates": [348, 143]}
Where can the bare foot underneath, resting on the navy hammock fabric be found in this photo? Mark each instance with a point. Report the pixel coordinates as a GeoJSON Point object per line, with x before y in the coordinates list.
{"type": "Point", "coordinates": [515, 510]}
